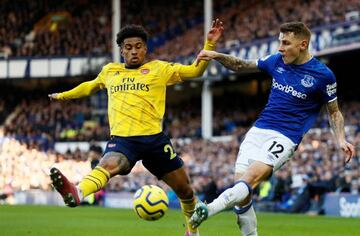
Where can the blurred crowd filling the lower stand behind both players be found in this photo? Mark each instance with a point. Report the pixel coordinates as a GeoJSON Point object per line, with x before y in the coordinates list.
{"type": "Point", "coordinates": [30, 130]}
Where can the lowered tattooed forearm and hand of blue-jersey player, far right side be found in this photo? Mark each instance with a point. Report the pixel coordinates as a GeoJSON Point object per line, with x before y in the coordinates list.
{"type": "Point", "coordinates": [337, 125]}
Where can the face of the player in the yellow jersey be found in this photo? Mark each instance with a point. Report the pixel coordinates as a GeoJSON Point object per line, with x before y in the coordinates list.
{"type": "Point", "coordinates": [133, 50]}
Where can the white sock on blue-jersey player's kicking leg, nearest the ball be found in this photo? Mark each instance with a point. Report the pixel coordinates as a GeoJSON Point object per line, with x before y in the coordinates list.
{"type": "Point", "coordinates": [229, 198]}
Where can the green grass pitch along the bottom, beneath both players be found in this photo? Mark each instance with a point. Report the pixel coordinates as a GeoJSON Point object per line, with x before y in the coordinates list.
{"type": "Point", "coordinates": [87, 221]}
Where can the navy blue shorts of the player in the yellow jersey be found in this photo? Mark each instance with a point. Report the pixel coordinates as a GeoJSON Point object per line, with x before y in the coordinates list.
{"type": "Point", "coordinates": [155, 151]}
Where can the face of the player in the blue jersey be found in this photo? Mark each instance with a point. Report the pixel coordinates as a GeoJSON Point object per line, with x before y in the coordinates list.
{"type": "Point", "coordinates": [291, 47]}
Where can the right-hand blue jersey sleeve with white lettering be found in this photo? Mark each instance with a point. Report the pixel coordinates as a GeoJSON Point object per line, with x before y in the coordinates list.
{"type": "Point", "coordinates": [328, 88]}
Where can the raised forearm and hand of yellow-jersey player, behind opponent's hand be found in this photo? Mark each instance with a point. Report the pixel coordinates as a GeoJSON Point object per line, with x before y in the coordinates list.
{"type": "Point", "coordinates": [197, 68]}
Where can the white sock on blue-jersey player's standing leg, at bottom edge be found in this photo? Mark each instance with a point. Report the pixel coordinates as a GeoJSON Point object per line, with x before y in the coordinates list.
{"type": "Point", "coordinates": [247, 222]}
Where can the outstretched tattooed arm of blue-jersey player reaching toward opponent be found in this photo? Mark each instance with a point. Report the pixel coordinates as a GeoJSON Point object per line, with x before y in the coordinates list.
{"type": "Point", "coordinates": [230, 62]}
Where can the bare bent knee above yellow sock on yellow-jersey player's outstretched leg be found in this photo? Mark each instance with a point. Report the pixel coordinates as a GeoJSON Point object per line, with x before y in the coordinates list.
{"type": "Point", "coordinates": [115, 163]}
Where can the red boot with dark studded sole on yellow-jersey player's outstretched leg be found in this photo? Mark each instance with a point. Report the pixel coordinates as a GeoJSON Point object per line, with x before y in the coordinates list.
{"type": "Point", "coordinates": [67, 190]}
